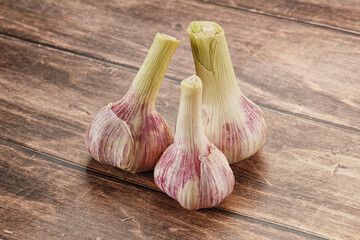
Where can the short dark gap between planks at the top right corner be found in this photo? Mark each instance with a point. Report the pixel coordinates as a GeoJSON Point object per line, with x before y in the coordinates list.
{"type": "Point", "coordinates": [293, 19]}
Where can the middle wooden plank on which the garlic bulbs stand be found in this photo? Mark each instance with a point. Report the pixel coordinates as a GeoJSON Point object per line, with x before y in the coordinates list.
{"type": "Point", "coordinates": [304, 178]}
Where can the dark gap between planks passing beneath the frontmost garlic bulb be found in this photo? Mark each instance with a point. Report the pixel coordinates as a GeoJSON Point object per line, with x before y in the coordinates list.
{"type": "Point", "coordinates": [102, 175]}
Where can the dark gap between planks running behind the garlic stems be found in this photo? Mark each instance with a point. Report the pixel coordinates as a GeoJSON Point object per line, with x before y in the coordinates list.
{"type": "Point", "coordinates": [89, 56]}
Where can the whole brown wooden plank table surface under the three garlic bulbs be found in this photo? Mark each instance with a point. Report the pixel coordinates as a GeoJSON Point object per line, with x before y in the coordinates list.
{"type": "Point", "coordinates": [61, 61]}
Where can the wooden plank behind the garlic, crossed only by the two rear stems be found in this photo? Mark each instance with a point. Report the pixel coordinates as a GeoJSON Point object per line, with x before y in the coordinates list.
{"type": "Point", "coordinates": [297, 68]}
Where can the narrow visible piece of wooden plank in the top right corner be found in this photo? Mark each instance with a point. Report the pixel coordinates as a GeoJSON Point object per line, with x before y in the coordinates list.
{"type": "Point", "coordinates": [340, 15]}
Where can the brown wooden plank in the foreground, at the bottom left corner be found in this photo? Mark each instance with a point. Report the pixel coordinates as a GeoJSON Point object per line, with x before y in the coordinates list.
{"type": "Point", "coordinates": [40, 199]}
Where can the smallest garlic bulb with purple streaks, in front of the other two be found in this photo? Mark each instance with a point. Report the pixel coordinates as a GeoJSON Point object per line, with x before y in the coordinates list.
{"type": "Point", "coordinates": [192, 170]}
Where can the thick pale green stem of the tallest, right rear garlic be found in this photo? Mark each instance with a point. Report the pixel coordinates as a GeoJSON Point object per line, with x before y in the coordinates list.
{"type": "Point", "coordinates": [213, 62]}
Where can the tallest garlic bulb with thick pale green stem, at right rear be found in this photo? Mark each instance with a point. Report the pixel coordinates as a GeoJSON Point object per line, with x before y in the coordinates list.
{"type": "Point", "coordinates": [232, 122]}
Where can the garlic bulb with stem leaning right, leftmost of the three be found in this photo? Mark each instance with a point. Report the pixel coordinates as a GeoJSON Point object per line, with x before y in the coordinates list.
{"type": "Point", "coordinates": [130, 134]}
